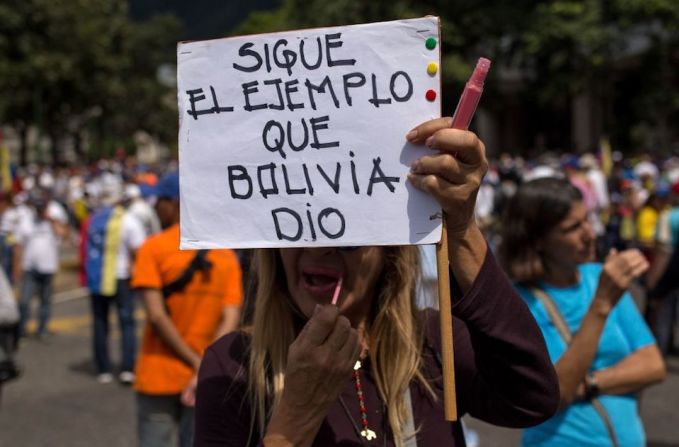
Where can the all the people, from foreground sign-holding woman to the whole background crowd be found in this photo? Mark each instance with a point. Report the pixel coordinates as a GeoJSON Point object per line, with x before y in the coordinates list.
{"type": "Point", "coordinates": [124, 219]}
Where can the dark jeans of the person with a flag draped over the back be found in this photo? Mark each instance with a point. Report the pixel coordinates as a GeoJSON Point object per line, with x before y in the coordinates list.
{"type": "Point", "coordinates": [124, 302]}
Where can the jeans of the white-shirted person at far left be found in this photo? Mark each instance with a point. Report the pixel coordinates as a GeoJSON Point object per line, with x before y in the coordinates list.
{"type": "Point", "coordinates": [31, 282]}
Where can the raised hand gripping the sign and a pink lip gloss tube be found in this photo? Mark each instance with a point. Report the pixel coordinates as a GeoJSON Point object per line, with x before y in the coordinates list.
{"type": "Point", "coordinates": [454, 174]}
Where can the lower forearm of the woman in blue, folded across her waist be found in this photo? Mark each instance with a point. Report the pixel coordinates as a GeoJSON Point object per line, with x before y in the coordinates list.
{"type": "Point", "coordinates": [638, 370]}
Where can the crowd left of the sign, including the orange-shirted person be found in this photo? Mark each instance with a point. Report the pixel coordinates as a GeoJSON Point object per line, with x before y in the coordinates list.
{"type": "Point", "coordinates": [124, 219]}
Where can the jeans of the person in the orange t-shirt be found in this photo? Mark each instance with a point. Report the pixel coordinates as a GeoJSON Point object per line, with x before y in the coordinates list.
{"type": "Point", "coordinates": [162, 418]}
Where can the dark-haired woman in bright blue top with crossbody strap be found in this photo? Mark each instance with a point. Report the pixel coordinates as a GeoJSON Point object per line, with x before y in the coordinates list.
{"type": "Point", "coordinates": [547, 248]}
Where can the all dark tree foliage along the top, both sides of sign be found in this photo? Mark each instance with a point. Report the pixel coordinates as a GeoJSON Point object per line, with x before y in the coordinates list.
{"type": "Point", "coordinates": [76, 68]}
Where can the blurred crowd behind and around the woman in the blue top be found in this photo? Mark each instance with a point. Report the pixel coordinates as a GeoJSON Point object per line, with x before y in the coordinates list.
{"type": "Point", "coordinates": [630, 203]}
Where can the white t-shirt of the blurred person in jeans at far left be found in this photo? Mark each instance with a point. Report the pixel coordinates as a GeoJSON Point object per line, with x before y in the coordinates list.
{"type": "Point", "coordinates": [40, 243]}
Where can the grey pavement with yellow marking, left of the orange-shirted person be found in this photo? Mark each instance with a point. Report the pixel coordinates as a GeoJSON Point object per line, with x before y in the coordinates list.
{"type": "Point", "coordinates": [57, 401]}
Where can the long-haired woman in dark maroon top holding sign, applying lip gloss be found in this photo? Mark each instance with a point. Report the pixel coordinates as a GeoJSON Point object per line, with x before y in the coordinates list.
{"type": "Point", "coordinates": [367, 371]}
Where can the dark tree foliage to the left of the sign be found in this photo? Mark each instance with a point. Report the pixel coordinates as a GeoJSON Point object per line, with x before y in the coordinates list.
{"type": "Point", "coordinates": [67, 66]}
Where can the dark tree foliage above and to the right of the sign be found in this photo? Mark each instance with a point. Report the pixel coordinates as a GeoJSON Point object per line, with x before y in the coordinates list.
{"type": "Point", "coordinates": [561, 48]}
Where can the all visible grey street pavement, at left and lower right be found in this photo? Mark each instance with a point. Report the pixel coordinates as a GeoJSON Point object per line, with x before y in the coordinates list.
{"type": "Point", "coordinates": [57, 402]}
